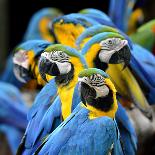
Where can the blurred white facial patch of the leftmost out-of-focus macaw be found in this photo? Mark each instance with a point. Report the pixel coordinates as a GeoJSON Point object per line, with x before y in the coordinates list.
{"type": "Point", "coordinates": [21, 58]}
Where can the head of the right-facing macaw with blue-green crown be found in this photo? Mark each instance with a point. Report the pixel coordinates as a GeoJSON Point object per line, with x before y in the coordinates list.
{"type": "Point", "coordinates": [106, 48]}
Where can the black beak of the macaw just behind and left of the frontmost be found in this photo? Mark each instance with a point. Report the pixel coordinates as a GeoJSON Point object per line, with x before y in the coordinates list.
{"type": "Point", "coordinates": [47, 67]}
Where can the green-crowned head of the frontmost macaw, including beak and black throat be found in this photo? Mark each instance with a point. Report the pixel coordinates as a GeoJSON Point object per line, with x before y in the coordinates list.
{"type": "Point", "coordinates": [96, 89]}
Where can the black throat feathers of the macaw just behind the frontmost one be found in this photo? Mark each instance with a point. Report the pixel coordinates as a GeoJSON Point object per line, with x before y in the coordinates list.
{"type": "Point", "coordinates": [66, 78]}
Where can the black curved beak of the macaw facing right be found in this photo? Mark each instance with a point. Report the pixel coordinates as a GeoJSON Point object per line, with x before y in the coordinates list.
{"type": "Point", "coordinates": [123, 55]}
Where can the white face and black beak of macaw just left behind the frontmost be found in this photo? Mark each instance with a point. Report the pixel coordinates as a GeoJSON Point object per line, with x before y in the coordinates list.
{"type": "Point", "coordinates": [54, 63]}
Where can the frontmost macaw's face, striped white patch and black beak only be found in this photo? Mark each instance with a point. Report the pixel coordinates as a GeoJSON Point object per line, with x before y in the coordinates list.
{"type": "Point", "coordinates": [92, 87]}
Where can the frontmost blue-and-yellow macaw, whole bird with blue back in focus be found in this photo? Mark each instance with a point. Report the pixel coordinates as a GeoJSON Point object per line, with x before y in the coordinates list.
{"type": "Point", "coordinates": [91, 128]}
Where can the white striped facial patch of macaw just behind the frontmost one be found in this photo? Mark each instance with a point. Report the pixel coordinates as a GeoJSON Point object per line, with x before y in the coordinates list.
{"type": "Point", "coordinates": [60, 58]}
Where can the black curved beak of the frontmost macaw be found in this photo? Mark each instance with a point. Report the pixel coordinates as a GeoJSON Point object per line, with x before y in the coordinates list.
{"type": "Point", "coordinates": [86, 92]}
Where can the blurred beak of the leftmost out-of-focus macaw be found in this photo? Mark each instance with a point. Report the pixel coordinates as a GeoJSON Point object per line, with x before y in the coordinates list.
{"type": "Point", "coordinates": [21, 73]}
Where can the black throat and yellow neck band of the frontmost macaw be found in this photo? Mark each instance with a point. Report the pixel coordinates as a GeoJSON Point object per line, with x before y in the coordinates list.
{"type": "Point", "coordinates": [106, 106]}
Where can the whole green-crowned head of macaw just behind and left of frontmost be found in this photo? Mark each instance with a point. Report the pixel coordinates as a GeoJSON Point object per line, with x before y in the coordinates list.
{"type": "Point", "coordinates": [61, 61]}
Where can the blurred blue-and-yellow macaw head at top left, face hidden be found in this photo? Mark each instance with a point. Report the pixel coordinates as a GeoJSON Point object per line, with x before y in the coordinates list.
{"type": "Point", "coordinates": [39, 25]}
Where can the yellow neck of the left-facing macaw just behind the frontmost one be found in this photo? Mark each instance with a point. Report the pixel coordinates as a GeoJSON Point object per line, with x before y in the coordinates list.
{"type": "Point", "coordinates": [66, 92]}
